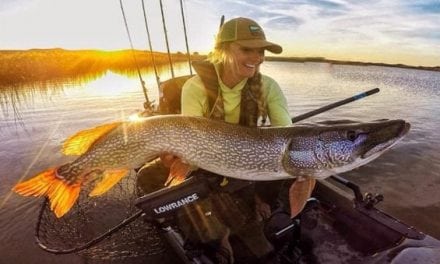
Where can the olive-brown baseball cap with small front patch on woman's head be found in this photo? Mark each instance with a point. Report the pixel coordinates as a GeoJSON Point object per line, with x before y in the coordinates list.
{"type": "Point", "coordinates": [246, 33]}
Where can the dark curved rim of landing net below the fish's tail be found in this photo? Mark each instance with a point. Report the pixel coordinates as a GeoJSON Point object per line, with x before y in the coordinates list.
{"type": "Point", "coordinates": [89, 244]}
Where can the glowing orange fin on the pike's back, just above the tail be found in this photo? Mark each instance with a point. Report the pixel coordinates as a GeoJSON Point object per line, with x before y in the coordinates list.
{"type": "Point", "coordinates": [79, 143]}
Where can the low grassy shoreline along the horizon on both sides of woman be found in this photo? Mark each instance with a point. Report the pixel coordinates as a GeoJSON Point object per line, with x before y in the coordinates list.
{"type": "Point", "coordinates": [33, 65]}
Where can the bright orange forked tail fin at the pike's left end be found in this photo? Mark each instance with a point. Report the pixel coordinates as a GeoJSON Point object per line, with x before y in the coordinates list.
{"type": "Point", "coordinates": [61, 195]}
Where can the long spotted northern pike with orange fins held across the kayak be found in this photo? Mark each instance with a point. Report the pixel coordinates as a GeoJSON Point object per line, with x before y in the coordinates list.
{"type": "Point", "coordinates": [258, 154]}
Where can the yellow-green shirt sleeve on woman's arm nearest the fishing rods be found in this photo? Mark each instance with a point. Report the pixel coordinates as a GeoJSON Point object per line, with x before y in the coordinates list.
{"type": "Point", "coordinates": [193, 101]}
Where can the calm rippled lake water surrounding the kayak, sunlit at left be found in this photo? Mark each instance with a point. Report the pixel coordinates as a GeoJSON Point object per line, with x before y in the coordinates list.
{"type": "Point", "coordinates": [35, 119]}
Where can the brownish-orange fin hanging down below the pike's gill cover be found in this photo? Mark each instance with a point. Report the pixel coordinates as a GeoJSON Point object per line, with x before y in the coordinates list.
{"type": "Point", "coordinates": [299, 192]}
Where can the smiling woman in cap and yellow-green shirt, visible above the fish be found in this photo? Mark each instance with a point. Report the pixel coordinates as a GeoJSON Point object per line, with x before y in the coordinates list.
{"type": "Point", "coordinates": [236, 58]}
